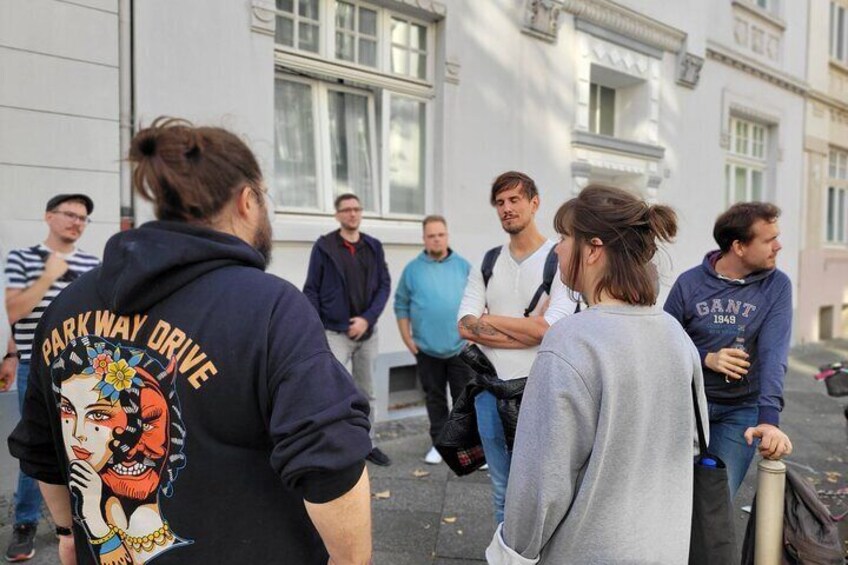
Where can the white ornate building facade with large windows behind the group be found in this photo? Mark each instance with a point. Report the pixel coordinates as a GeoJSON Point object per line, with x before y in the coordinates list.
{"type": "Point", "coordinates": [417, 105]}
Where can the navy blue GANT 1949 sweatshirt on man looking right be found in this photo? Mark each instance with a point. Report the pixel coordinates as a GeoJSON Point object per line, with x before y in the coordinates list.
{"type": "Point", "coordinates": [712, 309]}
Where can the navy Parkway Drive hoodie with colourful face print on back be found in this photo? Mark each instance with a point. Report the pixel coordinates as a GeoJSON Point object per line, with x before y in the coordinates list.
{"type": "Point", "coordinates": [191, 403]}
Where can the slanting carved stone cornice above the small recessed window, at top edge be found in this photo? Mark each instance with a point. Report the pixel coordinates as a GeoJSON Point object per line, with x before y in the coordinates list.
{"type": "Point", "coordinates": [624, 21]}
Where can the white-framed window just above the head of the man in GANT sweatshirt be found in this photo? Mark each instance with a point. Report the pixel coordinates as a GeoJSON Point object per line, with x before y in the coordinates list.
{"type": "Point", "coordinates": [747, 161]}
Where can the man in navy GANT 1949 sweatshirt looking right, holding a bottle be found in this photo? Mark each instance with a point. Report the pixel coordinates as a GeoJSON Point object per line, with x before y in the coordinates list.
{"type": "Point", "coordinates": [737, 308]}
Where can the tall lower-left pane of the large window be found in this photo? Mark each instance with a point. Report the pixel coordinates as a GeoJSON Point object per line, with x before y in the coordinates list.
{"type": "Point", "coordinates": [295, 180]}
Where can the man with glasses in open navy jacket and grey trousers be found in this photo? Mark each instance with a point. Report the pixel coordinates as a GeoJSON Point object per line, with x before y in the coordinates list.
{"type": "Point", "coordinates": [348, 283]}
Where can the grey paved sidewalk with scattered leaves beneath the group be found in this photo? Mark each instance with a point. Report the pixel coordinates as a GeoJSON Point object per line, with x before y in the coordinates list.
{"type": "Point", "coordinates": [440, 519]}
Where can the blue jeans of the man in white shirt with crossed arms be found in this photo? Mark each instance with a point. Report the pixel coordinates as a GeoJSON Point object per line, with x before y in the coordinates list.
{"type": "Point", "coordinates": [494, 446]}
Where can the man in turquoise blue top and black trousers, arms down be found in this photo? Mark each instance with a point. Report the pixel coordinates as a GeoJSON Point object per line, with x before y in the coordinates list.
{"type": "Point", "coordinates": [426, 303]}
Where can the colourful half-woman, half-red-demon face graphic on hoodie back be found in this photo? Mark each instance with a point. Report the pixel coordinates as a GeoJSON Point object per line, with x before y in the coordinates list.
{"type": "Point", "coordinates": [118, 435]}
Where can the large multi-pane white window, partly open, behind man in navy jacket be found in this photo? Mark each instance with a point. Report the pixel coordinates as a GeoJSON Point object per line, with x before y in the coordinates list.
{"type": "Point", "coordinates": [340, 130]}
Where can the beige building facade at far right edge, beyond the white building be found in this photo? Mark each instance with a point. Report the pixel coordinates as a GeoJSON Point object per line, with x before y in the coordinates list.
{"type": "Point", "coordinates": [823, 286]}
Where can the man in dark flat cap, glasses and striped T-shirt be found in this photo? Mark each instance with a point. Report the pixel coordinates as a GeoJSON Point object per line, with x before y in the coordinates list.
{"type": "Point", "coordinates": [34, 277]}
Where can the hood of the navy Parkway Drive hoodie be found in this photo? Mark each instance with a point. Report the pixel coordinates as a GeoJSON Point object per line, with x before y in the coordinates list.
{"type": "Point", "coordinates": [144, 266]}
